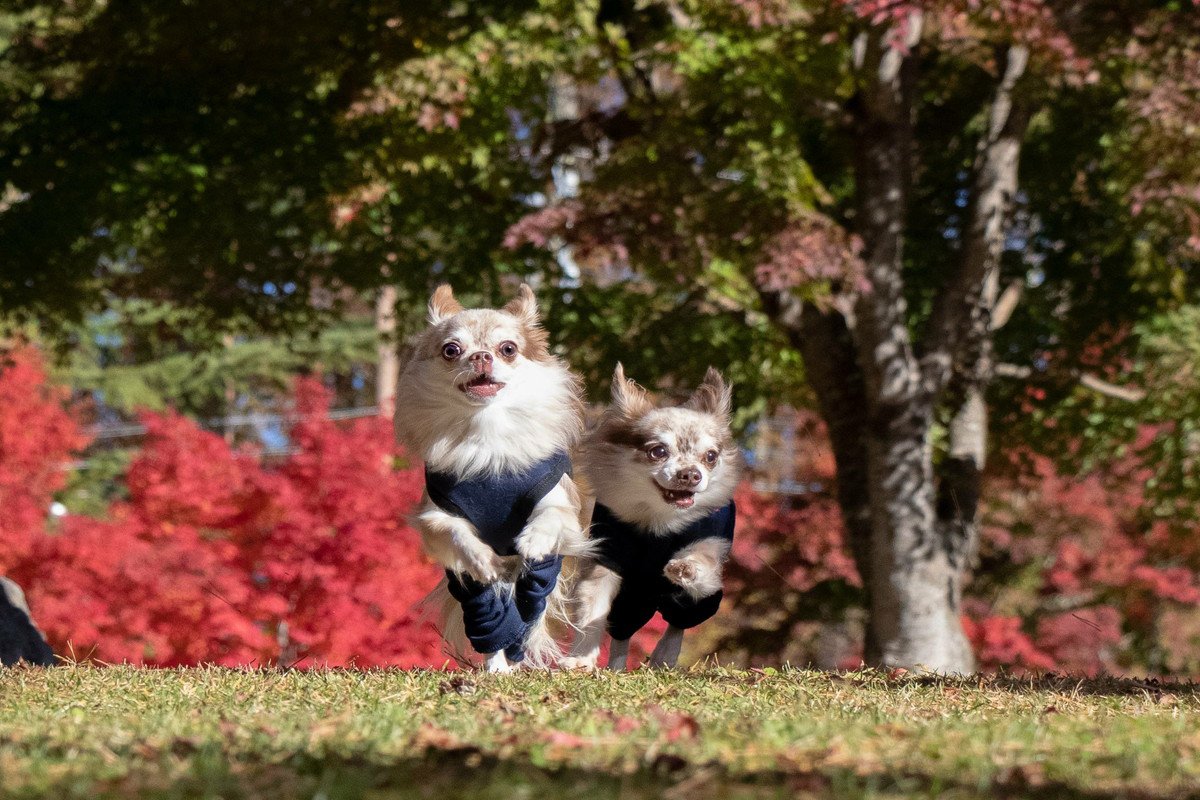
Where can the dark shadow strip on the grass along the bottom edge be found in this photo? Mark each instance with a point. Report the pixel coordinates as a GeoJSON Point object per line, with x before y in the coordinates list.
{"type": "Point", "coordinates": [469, 774]}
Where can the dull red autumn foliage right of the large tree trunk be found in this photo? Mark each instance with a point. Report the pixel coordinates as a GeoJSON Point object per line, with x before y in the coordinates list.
{"type": "Point", "coordinates": [1106, 584]}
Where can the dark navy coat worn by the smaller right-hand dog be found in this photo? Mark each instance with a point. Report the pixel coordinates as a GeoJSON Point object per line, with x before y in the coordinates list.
{"type": "Point", "coordinates": [639, 557]}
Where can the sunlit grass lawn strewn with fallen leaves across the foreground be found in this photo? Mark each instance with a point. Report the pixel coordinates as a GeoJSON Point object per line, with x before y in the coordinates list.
{"type": "Point", "coordinates": [122, 732]}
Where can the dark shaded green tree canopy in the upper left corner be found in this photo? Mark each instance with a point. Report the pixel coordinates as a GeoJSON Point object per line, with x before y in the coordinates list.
{"type": "Point", "coordinates": [202, 153]}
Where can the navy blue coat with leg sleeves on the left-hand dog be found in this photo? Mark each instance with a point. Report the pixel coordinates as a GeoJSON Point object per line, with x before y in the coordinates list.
{"type": "Point", "coordinates": [500, 507]}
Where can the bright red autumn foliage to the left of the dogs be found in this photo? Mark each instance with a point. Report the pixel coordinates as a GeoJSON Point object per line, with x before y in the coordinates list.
{"type": "Point", "coordinates": [214, 557]}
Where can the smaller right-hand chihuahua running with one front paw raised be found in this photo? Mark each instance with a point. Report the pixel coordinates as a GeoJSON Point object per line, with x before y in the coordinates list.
{"type": "Point", "coordinates": [663, 526]}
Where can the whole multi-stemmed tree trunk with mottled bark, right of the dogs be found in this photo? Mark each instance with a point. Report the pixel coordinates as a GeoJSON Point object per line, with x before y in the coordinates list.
{"type": "Point", "coordinates": [879, 398]}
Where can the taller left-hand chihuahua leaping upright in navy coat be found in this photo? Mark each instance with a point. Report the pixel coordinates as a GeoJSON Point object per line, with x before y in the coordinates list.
{"type": "Point", "coordinates": [494, 416]}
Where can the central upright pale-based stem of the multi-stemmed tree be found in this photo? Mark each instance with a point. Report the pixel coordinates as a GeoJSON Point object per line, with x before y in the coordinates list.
{"type": "Point", "coordinates": [913, 584]}
